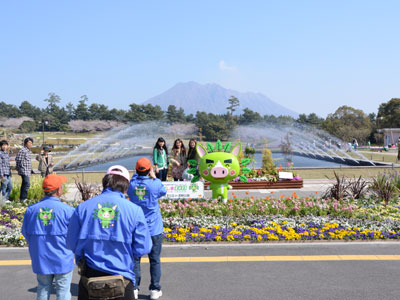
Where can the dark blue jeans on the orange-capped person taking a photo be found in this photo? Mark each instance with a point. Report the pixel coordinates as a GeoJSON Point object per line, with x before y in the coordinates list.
{"type": "Point", "coordinates": [155, 264]}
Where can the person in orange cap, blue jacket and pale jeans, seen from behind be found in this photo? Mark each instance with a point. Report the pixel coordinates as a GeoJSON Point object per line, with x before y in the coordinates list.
{"type": "Point", "coordinates": [45, 228]}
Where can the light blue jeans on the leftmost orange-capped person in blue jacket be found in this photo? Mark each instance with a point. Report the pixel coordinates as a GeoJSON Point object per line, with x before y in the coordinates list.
{"type": "Point", "coordinates": [63, 285]}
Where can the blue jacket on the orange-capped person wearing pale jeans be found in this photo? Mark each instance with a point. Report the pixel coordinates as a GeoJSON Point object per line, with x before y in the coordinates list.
{"type": "Point", "coordinates": [45, 228]}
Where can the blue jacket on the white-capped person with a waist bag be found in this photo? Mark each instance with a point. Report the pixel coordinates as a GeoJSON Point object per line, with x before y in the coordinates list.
{"type": "Point", "coordinates": [110, 231]}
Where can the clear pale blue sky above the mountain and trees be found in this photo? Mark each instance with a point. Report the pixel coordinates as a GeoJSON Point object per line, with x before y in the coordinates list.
{"type": "Point", "coordinates": [310, 56]}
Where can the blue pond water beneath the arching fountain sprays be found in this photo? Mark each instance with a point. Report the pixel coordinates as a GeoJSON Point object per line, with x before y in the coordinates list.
{"type": "Point", "coordinates": [298, 161]}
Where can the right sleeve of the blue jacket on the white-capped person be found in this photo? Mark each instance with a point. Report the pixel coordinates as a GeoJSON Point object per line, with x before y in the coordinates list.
{"type": "Point", "coordinates": [141, 242]}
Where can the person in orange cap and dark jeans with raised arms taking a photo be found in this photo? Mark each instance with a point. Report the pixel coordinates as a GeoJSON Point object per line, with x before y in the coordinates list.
{"type": "Point", "coordinates": [144, 190]}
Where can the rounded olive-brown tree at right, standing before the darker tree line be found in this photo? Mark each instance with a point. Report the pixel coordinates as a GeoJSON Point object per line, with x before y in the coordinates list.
{"type": "Point", "coordinates": [348, 123]}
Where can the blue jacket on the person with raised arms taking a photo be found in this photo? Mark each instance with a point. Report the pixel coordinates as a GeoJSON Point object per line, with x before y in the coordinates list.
{"type": "Point", "coordinates": [145, 192]}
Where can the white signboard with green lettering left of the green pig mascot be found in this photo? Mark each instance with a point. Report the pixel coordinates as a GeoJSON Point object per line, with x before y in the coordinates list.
{"type": "Point", "coordinates": [183, 189]}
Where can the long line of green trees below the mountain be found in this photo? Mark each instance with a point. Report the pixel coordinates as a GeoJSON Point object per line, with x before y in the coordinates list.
{"type": "Point", "coordinates": [346, 123]}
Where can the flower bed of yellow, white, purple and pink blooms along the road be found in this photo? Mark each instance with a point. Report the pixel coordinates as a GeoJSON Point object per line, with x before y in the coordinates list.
{"type": "Point", "coordinates": [250, 220]}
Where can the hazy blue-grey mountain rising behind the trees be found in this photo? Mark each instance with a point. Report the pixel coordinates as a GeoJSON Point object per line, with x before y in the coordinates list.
{"type": "Point", "coordinates": [213, 98]}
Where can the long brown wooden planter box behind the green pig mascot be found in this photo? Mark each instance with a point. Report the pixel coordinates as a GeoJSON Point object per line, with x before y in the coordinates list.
{"type": "Point", "coordinates": [284, 184]}
